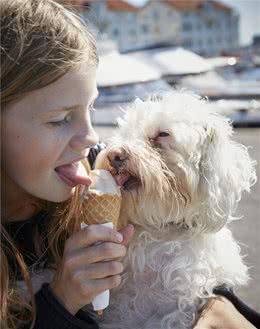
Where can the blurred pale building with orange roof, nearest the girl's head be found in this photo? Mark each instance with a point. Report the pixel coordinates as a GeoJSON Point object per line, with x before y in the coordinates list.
{"type": "Point", "coordinates": [134, 27]}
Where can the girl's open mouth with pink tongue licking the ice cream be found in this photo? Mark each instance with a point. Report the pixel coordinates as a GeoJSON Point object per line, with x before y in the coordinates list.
{"type": "Point", "coordinates": [73, 174]}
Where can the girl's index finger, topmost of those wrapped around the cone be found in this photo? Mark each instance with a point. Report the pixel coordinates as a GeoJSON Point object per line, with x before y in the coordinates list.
{"type": "Point", "coordinates": [91, 234]}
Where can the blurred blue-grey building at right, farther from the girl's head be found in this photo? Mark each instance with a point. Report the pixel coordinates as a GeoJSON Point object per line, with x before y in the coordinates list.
{"type": "Point", "coordinates": [207, 27]}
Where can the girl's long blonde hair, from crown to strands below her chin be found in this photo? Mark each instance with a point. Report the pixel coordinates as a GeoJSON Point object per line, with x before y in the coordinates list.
{"type": "Point", "coordinates": [40, 42]}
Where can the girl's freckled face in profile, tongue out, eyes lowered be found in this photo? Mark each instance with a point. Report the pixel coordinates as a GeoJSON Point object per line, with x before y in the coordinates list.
{"type": "Point", "coordinates": [46, 134]}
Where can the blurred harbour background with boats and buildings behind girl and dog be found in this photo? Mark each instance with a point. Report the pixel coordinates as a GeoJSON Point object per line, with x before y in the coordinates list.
{"type": "Point", "coordinates": [209, 47]}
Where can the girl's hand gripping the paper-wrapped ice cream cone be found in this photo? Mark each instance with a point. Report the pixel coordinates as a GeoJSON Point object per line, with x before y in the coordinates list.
{"type": "Point", "coordinates": [86, 269]}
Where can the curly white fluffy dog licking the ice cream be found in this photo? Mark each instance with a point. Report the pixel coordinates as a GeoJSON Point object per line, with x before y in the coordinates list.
{"type": "Point", "coordinates": [182, 177]}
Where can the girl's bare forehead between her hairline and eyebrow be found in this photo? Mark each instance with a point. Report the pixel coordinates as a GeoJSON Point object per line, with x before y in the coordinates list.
{"type": "Point", "coordinates": [76, 87]}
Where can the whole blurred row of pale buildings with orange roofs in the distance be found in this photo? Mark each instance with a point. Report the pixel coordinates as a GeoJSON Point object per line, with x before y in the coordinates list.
{"type": "Point", "coordinates": [206, 27]}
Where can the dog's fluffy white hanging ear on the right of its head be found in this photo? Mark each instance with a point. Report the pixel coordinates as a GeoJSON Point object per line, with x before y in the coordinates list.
{"type": "Point", "coordinates": [226, 171]}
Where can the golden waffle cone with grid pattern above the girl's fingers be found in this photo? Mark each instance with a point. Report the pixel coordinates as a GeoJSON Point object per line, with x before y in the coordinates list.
{"type": "Point", "coordinates": [102, 208]}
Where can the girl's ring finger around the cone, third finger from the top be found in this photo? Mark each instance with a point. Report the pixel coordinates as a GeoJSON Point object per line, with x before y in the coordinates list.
{"type": "Point", "coordinates": [101, 270]}
